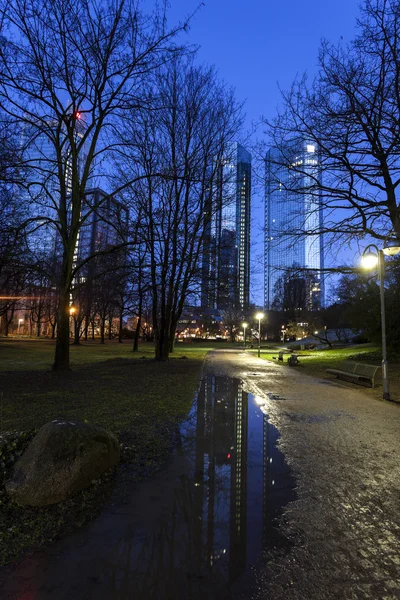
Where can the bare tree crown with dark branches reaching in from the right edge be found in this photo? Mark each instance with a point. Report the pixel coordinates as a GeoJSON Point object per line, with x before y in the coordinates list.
{"type": "Point", "coordinates": [348, 117]}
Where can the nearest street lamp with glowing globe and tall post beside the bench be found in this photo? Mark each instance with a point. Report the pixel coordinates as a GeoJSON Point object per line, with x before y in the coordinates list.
{"type": "Point", "coordinates": [372, 257]}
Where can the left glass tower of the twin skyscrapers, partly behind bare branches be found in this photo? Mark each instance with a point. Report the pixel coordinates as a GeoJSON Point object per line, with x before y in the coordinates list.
{"type": "Point", "coordinates": [226, 251]}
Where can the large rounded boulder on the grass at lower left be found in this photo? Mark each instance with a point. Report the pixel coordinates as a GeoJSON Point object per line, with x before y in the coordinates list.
{"type": "Point", "coordinates": [62, 458]}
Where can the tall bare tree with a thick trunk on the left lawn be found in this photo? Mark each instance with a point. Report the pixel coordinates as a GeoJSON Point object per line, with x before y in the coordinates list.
{"type": "Point", "coordinates": [69, 72]}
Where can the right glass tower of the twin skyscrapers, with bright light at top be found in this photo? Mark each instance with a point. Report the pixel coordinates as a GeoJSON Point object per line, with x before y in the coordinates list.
{"type": "Point", "coordinates": [293, 250]}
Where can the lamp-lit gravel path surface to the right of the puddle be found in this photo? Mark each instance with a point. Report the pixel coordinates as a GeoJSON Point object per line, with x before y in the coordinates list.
{"type": "Point", "coordinates": [343, 447]}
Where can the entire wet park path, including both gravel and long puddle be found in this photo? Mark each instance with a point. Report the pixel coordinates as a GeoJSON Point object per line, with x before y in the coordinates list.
{"type": "Point", "coordinates": [282, 486]}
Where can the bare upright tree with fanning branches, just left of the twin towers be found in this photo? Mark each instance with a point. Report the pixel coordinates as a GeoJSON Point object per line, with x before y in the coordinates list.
{"type": "Point", "coordinates": [184, 139]}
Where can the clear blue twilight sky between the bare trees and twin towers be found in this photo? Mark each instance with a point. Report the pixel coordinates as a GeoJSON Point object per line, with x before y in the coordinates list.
{"type": "Point", "coordinates": [256, 45]}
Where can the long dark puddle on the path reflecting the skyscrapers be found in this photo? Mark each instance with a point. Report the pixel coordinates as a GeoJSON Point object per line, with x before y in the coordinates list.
{"type": "Point", "coordinates": [192, 531]}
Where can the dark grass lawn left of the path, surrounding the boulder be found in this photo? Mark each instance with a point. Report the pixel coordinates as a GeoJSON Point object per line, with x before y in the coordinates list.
{"type": "Point", "coordinates": [137, 398]}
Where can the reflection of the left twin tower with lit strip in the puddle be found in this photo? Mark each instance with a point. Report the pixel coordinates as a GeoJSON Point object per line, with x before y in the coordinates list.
{"type": "Point", "coordinates": [221, 476]}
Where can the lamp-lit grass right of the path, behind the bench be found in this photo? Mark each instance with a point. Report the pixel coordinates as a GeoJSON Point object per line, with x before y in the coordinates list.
{"type": "Point", "coordinates": [315, 363]}
